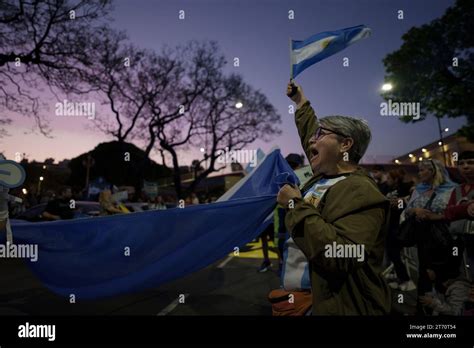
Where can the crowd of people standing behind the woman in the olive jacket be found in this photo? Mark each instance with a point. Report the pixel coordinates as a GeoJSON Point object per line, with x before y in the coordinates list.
{"type": "Point", "coordinates": [433, 216]}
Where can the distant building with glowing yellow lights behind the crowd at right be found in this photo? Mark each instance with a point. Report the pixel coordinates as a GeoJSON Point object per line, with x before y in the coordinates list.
{"type": "Point", "coordinates": [453, 146]}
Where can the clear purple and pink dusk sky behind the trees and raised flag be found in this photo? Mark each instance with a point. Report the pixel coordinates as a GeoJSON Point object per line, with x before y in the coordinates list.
{"type": "Point", "coordinates": [257, 32]}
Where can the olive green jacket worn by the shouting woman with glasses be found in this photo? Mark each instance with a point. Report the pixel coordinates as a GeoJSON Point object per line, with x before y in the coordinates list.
{"type": "Point", "coordinates": [352, 212]}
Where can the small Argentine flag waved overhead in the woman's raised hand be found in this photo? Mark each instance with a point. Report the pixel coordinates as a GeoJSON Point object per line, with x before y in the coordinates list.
{"type": "Point", "coordinates": [320, 46]}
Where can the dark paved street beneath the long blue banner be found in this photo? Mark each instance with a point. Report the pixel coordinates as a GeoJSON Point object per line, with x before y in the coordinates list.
{"type": "Point", "coordinates": [231, 286]}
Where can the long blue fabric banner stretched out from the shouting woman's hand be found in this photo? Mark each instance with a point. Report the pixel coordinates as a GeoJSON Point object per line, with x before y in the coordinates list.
{"type": "Point", "coordinates": [87, 257]}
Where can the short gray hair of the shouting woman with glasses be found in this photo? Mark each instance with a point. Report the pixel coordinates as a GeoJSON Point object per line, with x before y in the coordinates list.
{"type": "Point", "coordinates": [357, 129]}
